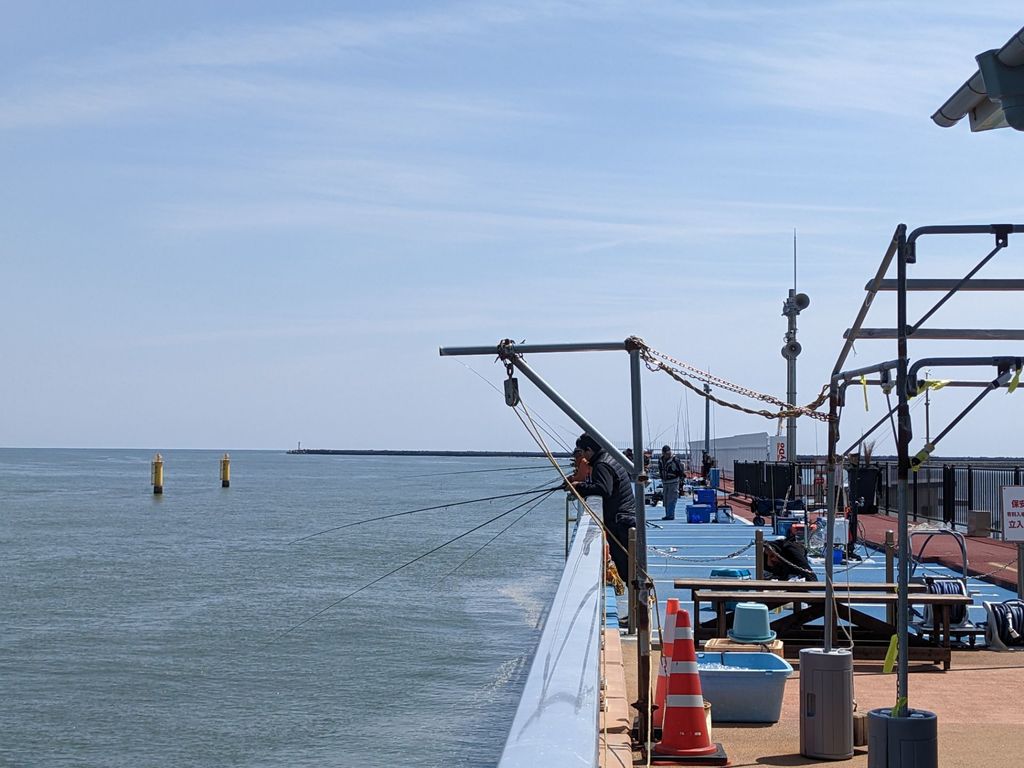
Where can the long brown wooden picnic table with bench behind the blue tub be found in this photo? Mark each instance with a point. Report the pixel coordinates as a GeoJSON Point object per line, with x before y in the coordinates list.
{"type": "Point", "coordinates": [864, 627]}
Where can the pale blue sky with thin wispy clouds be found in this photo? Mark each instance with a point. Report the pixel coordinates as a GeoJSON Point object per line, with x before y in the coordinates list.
{"type": "Point", "coordinates": [252, 225]}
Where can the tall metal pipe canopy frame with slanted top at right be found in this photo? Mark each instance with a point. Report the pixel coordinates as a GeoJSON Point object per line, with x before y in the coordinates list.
{"type": "Point", "coordinates": [904, 375]}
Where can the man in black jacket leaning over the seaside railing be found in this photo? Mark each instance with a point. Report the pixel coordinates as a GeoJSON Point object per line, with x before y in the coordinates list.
{"type": "Point", "coordinates": [610, 481]}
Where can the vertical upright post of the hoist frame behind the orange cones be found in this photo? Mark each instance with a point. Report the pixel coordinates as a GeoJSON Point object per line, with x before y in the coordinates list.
{"type": "Point", "coordinates": [644, 613]}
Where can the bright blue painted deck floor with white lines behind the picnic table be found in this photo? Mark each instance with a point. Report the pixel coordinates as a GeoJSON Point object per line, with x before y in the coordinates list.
{"type": "Point", "coordinates": [680, 550]}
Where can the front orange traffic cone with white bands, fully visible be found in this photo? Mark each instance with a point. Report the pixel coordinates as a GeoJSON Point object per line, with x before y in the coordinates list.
{"type": "Point", "coordinates": [685, 738]}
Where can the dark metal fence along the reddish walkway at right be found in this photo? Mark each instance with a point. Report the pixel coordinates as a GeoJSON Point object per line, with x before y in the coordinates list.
{"type": "Point", "coordinates": [943, 493]}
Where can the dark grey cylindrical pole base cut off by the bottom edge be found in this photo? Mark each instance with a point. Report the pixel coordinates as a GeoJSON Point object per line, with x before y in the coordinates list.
{"type": "Point", "coordinates": [910, 742]}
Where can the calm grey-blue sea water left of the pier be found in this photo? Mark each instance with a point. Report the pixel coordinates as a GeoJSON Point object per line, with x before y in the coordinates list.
{"type": "Point", "coordinates": [147, 631]}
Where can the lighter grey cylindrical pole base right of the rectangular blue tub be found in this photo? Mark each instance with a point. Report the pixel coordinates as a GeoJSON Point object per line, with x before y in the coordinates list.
{"type": "Point", "coordinates": [827, 704]}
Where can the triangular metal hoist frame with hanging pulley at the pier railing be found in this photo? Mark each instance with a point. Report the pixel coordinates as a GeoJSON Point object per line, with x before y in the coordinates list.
{"type": "Point", "coordinates": [513, 356]}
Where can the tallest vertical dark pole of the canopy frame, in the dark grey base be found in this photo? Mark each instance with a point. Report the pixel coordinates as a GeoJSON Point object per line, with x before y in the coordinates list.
{"type": "Point", "coordinates": [904, 454]}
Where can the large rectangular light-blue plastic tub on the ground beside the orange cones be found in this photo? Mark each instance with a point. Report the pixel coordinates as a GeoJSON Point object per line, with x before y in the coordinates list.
{"type": "Point", "coordinates": [748, 690]}
